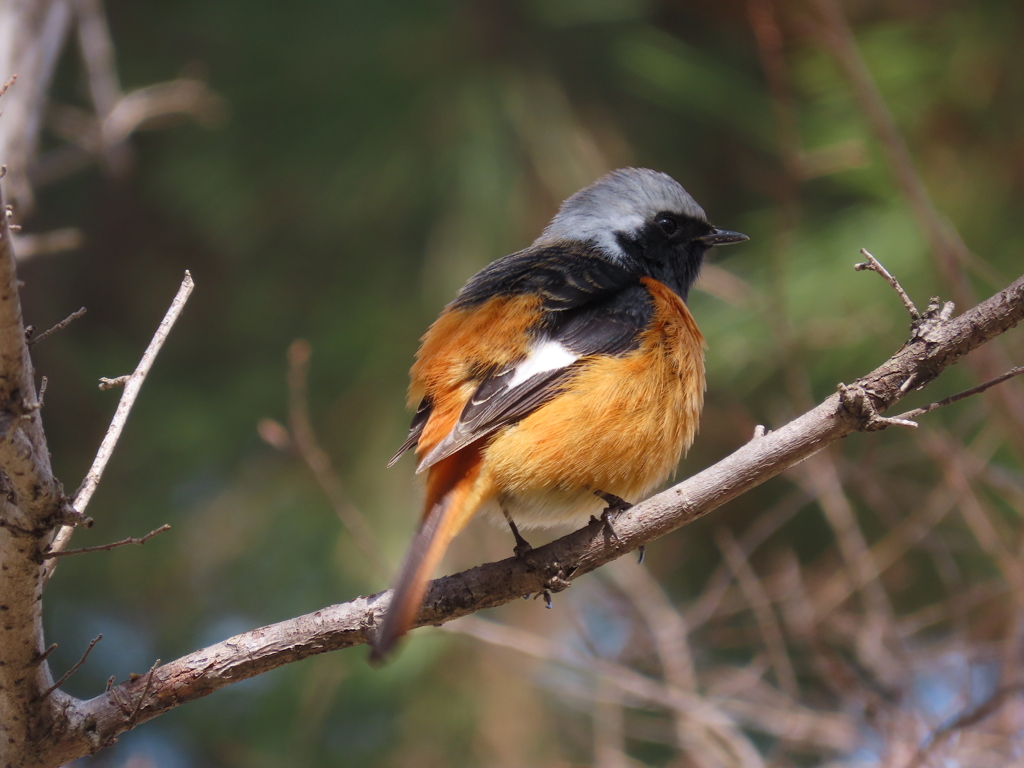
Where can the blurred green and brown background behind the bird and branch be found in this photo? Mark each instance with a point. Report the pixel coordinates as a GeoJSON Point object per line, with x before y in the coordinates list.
{"type": "Point", "coordinates": [350, 167]}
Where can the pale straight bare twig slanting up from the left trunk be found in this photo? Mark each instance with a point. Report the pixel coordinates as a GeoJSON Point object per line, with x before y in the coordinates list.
{"type": "Point", "coordinates": [133, 387]}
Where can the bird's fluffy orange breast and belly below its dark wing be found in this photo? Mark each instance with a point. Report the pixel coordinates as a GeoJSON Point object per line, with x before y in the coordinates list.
{"type": "Point", "coordinates": [620, 428]}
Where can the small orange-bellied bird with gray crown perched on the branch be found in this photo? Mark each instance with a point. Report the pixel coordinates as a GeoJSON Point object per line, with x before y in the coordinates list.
{"type": "Point", "coordinates": [563, 380]}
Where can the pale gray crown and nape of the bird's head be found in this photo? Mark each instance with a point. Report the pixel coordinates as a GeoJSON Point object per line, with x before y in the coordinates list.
{"type": "Point", "coordinates": [622, 201]}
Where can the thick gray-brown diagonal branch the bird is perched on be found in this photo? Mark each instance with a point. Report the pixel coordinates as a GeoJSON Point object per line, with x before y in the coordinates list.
{"type": "Point", "coordinates": [93, 724]}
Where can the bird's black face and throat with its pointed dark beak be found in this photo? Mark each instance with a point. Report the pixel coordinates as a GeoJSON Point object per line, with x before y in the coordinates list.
{"type": "Point", "coordinates": [671, 247]}
